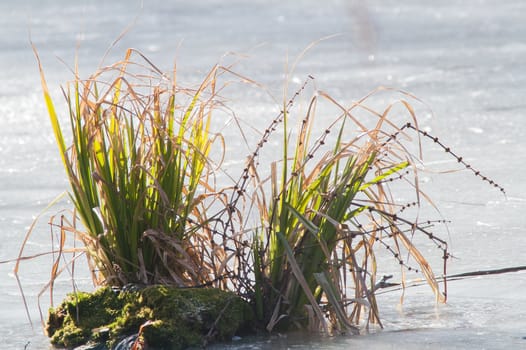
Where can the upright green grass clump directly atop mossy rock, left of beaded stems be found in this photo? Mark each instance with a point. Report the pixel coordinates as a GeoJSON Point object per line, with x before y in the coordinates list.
{"type": "Point", "coordinates": [140, 174]}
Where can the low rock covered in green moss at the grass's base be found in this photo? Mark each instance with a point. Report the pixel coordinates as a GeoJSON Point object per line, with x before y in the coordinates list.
{"type": "Point", "coordinates": [163, 317]}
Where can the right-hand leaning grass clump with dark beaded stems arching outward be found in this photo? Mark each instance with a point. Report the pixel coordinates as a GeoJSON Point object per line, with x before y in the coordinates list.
{"type": "Point", "coordinates": [326, 210]}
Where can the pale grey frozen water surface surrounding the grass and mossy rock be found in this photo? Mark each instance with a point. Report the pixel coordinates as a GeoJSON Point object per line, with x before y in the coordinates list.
{"type": "Point", "coordinates": [465, 59]}
